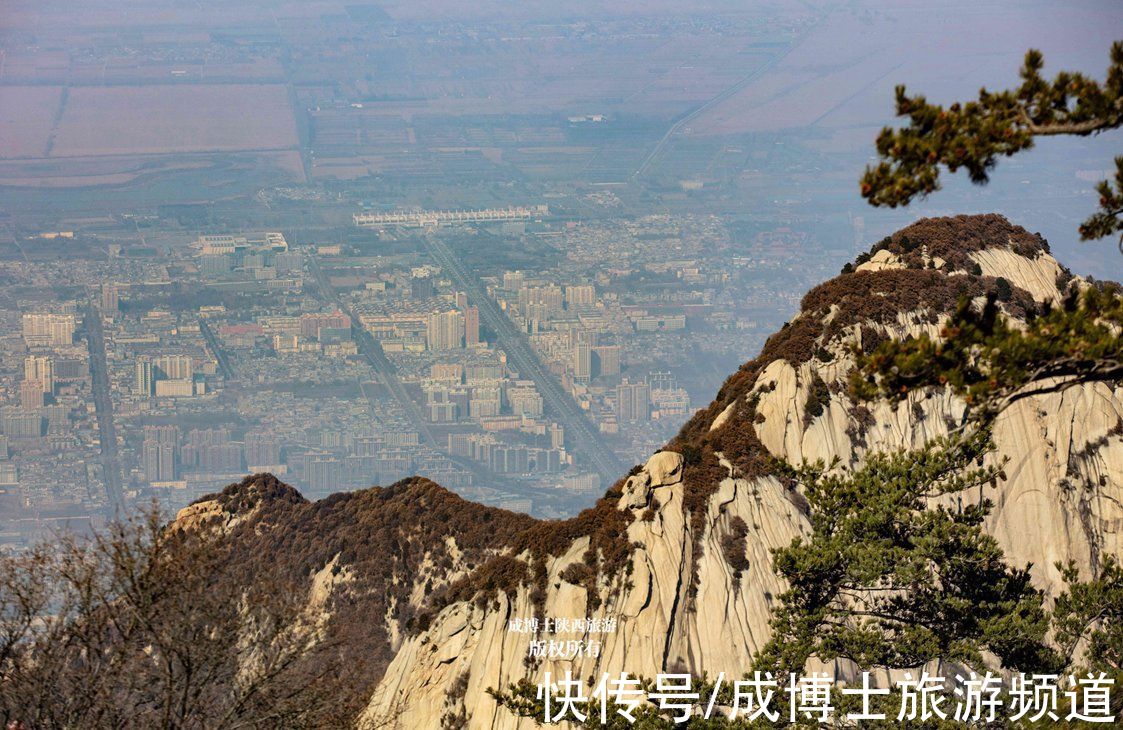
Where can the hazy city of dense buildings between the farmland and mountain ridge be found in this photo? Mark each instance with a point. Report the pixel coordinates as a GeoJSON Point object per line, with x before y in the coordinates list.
{"type": "Point", "coordinates": [230, 354]}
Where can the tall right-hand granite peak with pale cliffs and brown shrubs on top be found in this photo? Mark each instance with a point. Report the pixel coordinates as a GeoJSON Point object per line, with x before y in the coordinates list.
{"type": "Point", "coordinates": [678, 556]}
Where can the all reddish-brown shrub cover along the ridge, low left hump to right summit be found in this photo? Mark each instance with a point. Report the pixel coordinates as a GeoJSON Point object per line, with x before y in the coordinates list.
{"type": "Point", "coordinates": [391, 542]}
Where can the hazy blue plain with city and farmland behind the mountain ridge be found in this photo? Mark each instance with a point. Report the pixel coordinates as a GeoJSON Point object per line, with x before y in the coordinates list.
{"type": "Point", "coordinates": [512, 251]}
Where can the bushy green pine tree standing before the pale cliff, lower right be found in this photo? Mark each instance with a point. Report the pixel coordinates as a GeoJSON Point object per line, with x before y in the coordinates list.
{"type": "Point", "coordinates": [896, 574]}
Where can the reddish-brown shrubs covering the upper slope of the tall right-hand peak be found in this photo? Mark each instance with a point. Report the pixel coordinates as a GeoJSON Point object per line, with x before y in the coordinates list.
{"type": "Point", "coordinates": [864, 300]}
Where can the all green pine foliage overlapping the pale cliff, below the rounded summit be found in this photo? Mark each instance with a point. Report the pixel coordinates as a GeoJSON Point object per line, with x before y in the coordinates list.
{"type": "Point", "coordinates": [898, 570]}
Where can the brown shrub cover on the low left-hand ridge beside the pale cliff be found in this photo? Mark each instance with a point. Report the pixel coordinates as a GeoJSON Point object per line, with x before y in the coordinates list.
{"type": "Point", "coordinates": [389, 539]}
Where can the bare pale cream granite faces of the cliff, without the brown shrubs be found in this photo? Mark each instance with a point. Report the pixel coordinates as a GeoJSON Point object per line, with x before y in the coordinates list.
{"type": "Point", "coordinates": [681, 607]}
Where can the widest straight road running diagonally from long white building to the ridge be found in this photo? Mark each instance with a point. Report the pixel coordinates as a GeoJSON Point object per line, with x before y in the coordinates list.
{"type": "Point", "coordinates": [586, 442]}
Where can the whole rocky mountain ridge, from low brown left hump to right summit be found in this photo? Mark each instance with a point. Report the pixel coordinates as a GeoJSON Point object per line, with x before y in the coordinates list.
{"type": "Point", "coordinates": [680, 550]}
